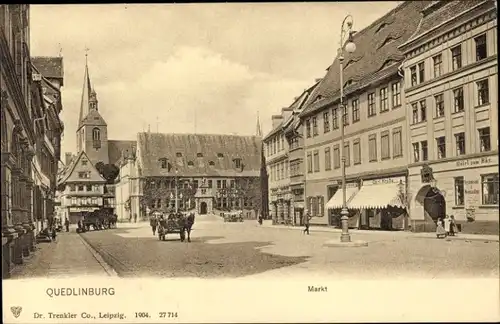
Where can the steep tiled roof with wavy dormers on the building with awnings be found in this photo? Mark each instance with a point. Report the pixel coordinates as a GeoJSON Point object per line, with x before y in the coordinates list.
{"type": "Point", "coordinates": [376, 50]}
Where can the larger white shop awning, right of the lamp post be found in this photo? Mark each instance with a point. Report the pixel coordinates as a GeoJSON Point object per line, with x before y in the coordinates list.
{"type": "Point", "coordinates": [377, 196]}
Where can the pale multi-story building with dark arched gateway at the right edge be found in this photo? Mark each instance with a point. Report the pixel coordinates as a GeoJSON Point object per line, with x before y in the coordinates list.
{"type": "Point", "coordinates": [451, 81]}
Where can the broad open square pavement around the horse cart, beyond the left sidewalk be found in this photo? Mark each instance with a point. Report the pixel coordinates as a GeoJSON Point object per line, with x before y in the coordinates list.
{"type": "Point", "coordinates": [224, 250]}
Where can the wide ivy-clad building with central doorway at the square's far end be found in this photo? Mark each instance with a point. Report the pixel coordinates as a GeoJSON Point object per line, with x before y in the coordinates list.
{"type": "Point", "coordinates": [198, 172]}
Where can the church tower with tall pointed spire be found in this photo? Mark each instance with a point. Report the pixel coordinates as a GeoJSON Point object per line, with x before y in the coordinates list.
{"type": "Point", "coordinates": [92, 130]}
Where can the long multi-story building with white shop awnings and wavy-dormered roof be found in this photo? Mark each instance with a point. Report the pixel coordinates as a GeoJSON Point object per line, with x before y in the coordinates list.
{"type": "Point", "coordinates": [375, 128]}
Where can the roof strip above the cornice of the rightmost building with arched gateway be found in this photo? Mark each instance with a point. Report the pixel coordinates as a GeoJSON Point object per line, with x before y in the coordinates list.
{"type": "Point", "coordinates": [441, 11]}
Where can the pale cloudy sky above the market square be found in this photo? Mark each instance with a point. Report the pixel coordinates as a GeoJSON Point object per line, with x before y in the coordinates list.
{"type": "Point", "coordinates": [191, 68]}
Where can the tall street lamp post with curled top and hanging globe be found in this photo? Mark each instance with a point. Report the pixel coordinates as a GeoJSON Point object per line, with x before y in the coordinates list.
{"type": "Point", "coordinates": [350, 47]}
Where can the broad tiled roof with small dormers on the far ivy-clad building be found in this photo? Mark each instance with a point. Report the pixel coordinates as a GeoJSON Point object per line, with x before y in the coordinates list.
{"type": "Point", "coordinates": [154, 146]}
